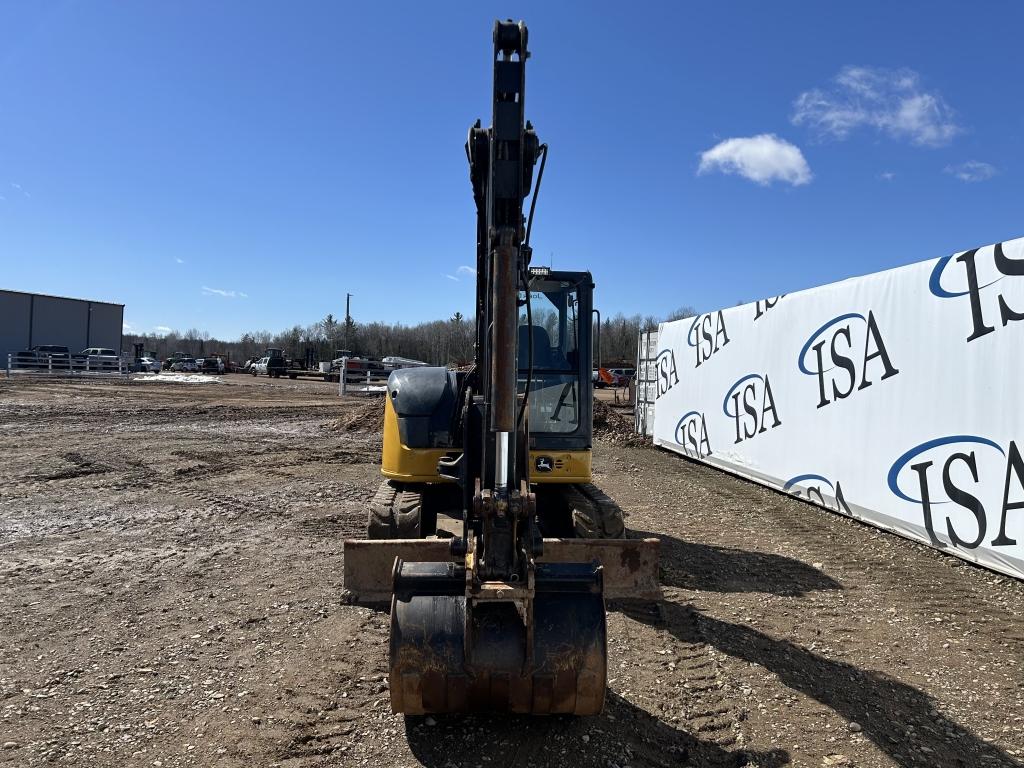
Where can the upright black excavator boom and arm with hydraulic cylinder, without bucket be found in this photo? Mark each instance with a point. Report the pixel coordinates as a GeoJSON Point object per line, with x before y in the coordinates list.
{"type": "Point", "coordinates": [500, 531]}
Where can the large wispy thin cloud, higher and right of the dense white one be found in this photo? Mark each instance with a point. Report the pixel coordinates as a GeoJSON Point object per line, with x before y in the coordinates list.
{"type": "Point", "coordinates": [889, 101]}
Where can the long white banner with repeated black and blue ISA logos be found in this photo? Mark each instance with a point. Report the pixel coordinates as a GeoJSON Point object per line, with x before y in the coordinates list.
{"type": "Point", "coordinates": [897, 399]}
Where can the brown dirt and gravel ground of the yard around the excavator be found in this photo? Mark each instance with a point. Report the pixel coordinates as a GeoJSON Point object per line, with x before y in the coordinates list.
{"type": "Point", "coordinates": [172, 594]}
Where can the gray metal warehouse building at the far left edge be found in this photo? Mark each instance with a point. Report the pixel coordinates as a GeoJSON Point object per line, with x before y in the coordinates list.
{"type": "Point", "coordinates": [28, 320]}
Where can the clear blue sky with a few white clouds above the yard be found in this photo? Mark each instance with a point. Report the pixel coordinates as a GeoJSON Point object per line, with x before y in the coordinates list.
{"type": "Point", "coordinates": [242, 166]}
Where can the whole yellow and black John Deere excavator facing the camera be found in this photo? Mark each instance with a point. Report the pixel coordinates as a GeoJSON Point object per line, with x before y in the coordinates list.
{"type": "Point", "coordinates": [495, 549]}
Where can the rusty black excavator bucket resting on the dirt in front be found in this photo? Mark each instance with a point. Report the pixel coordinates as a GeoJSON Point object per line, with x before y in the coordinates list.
{"type": "Point", "coordinates": [450, 654]}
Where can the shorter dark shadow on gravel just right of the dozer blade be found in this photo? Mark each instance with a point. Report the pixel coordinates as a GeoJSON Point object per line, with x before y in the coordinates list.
{"type": "Point", "coordinates": [702, 567]}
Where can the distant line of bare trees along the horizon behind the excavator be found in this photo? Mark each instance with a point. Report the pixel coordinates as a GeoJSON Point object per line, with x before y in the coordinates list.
{"type": "Point", "coordinates": [441, 343]}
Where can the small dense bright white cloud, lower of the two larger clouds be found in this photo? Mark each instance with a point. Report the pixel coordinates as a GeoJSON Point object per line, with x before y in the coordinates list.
{"type": "Point", "coordinates": [763, 159]}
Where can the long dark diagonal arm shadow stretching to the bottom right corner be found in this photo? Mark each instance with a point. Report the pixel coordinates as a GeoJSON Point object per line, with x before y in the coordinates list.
{"type": "Point", "coordinates": [901, 720]}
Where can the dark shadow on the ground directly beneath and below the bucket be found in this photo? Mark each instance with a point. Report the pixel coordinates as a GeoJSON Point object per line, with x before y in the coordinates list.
{"type": "Point", "coordinates": [623, 735]}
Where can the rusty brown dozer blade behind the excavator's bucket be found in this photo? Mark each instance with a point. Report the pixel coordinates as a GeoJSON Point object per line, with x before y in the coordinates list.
{"type": "Point", "coordinates": [630, 566]}
